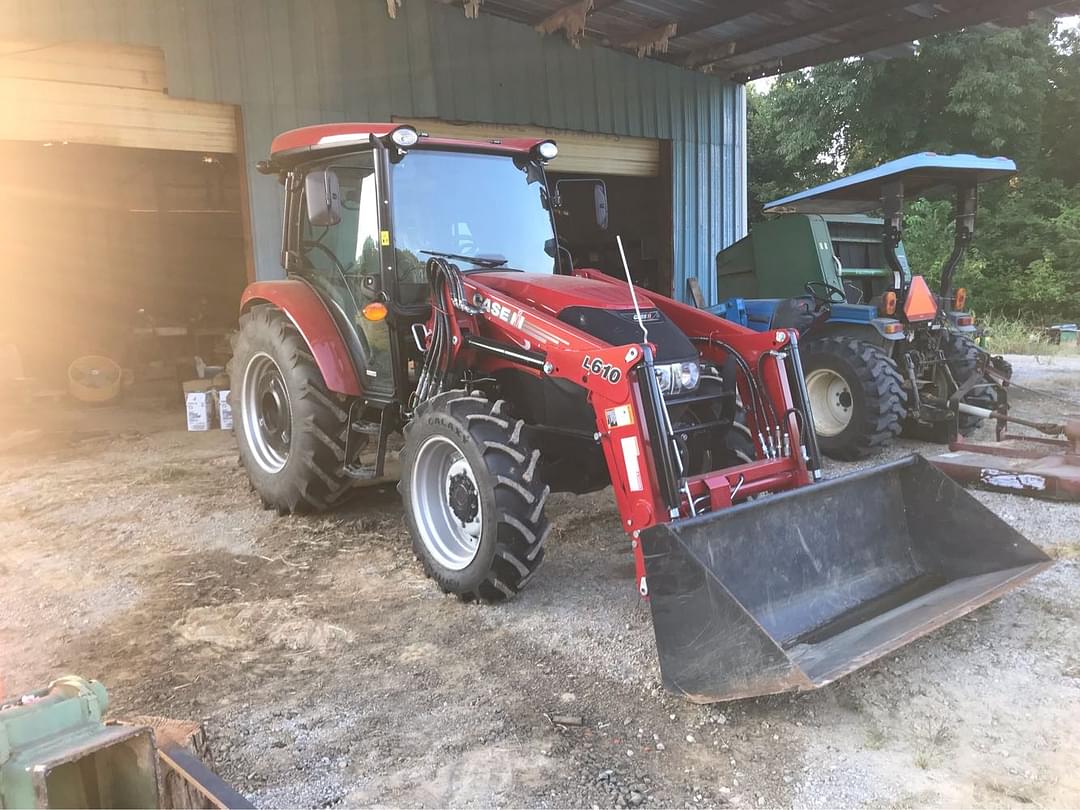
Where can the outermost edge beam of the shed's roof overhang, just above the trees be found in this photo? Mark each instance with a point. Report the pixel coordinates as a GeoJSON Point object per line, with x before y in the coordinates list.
{"type": "Point", "coordinates": [971, 15]}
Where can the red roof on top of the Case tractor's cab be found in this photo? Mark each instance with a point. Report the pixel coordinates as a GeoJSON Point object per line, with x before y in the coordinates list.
{"type": "Point", "coordinates": [306, 143]}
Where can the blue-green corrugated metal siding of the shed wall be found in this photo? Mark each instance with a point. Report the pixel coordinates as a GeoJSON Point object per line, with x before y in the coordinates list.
{"type": "Point", "coordinates": [290, 63]}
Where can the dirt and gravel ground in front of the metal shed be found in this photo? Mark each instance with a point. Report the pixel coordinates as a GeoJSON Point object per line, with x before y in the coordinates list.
{"type": "Point", "coordinates": [330, 672]}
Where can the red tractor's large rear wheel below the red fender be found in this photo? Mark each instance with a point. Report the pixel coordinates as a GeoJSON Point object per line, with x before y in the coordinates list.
{"type": "Point", "coordinates": [304, 472]}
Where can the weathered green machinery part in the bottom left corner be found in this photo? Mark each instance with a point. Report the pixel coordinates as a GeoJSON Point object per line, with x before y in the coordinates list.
{"type": "Point", "coordinates": [58, 752]}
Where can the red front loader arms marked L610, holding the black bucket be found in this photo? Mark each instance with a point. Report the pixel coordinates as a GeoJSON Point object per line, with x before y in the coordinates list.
{"type": "Point", "coordinates": [501, 332]}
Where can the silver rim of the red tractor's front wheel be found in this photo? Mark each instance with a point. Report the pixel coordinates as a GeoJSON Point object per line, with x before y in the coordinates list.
{"type": "Point", "coordinates": [447, 504]}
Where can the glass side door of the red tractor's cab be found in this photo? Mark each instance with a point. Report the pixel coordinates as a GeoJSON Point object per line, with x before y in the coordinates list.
{"type": "Point", "coordinates": [335, 247]}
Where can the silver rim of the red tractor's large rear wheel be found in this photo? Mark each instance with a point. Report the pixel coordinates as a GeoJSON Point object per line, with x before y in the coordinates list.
{"type": "Point", "coordinates": [267, 413]}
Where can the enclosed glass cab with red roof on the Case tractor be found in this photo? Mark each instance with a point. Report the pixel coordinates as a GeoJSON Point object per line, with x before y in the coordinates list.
{"type": "Point", "coordinates": [369, 206]}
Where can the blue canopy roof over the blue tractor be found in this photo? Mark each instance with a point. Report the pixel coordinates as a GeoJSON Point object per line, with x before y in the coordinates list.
{"type": "Point", "coordinates": [862, 192]}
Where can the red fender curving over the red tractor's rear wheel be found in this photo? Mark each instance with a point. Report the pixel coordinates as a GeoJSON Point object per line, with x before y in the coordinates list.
{"type": "Point", "coordinates": [303, 307]}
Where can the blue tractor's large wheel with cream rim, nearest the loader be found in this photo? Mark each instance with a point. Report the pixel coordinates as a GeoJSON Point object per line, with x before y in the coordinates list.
{"type": "Point", "coordinates": [873, 404]}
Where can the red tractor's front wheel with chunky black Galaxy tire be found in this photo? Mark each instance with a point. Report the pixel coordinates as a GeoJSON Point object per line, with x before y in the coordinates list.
{"type": "Point", "coordinates": [503, 488]}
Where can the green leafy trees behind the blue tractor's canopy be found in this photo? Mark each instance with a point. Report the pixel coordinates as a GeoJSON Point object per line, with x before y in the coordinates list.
{"type": "Point", "coordinates": [1014, 92]}
